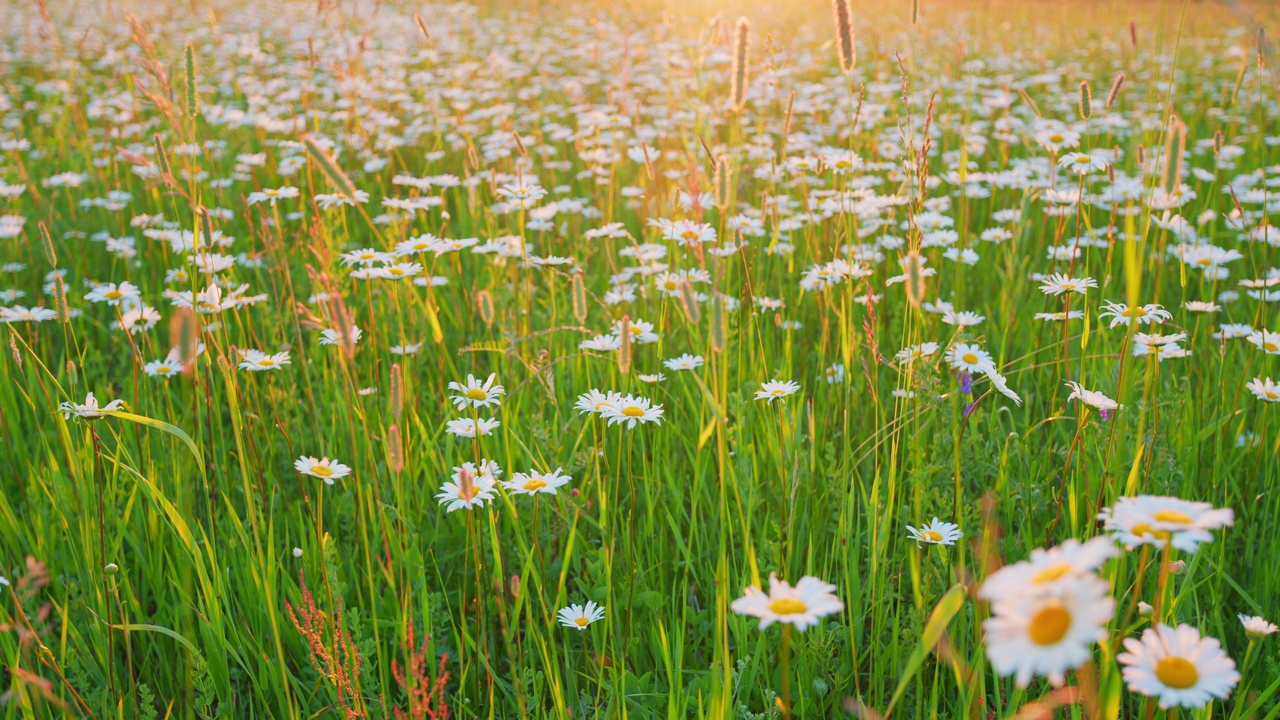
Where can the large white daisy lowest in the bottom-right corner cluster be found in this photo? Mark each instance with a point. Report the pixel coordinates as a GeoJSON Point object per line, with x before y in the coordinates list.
{"type": "Point", "coordinates": [1178, 667]}
